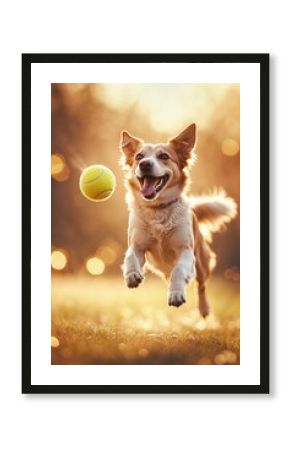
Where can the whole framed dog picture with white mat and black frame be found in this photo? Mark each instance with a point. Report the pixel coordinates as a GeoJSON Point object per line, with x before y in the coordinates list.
{"type": "Point", "coordinates": [145, 223]}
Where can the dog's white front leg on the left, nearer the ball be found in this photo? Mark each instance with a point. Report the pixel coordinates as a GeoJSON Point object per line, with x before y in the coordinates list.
{"type": "Point", "coordinates": [134, 261]}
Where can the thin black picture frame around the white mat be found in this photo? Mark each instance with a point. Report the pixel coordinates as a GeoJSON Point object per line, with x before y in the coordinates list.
{"type": "Point", "coordinates": [263, 61]}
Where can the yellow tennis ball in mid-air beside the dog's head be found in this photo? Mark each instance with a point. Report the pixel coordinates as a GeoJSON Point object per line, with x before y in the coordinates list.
{"type": "Point", "coordinates": [97, 183]}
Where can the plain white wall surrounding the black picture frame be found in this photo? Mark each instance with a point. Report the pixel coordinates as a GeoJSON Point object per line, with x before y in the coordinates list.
{"type": "Point", "coordinates": [154, 421]}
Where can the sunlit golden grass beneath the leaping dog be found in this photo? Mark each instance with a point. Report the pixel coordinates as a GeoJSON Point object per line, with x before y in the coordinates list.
{"type": "Point", "coordinates": [100, 321]}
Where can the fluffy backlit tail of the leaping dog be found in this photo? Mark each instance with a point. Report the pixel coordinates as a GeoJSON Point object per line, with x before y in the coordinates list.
{"type": "Point", "coordinates": [214, 211]}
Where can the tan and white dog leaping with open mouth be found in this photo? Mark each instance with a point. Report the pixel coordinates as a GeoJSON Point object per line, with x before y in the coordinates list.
{"type": "Point", "coordinates": [168, 230]}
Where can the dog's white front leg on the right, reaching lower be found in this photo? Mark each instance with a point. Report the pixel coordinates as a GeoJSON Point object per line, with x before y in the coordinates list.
{"type": "Point", "coordinates": [182, 273]}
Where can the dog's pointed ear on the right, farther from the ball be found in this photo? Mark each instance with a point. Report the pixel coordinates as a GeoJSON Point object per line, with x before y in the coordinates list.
{"type": "Point", "coordinates": [183, 144]}
